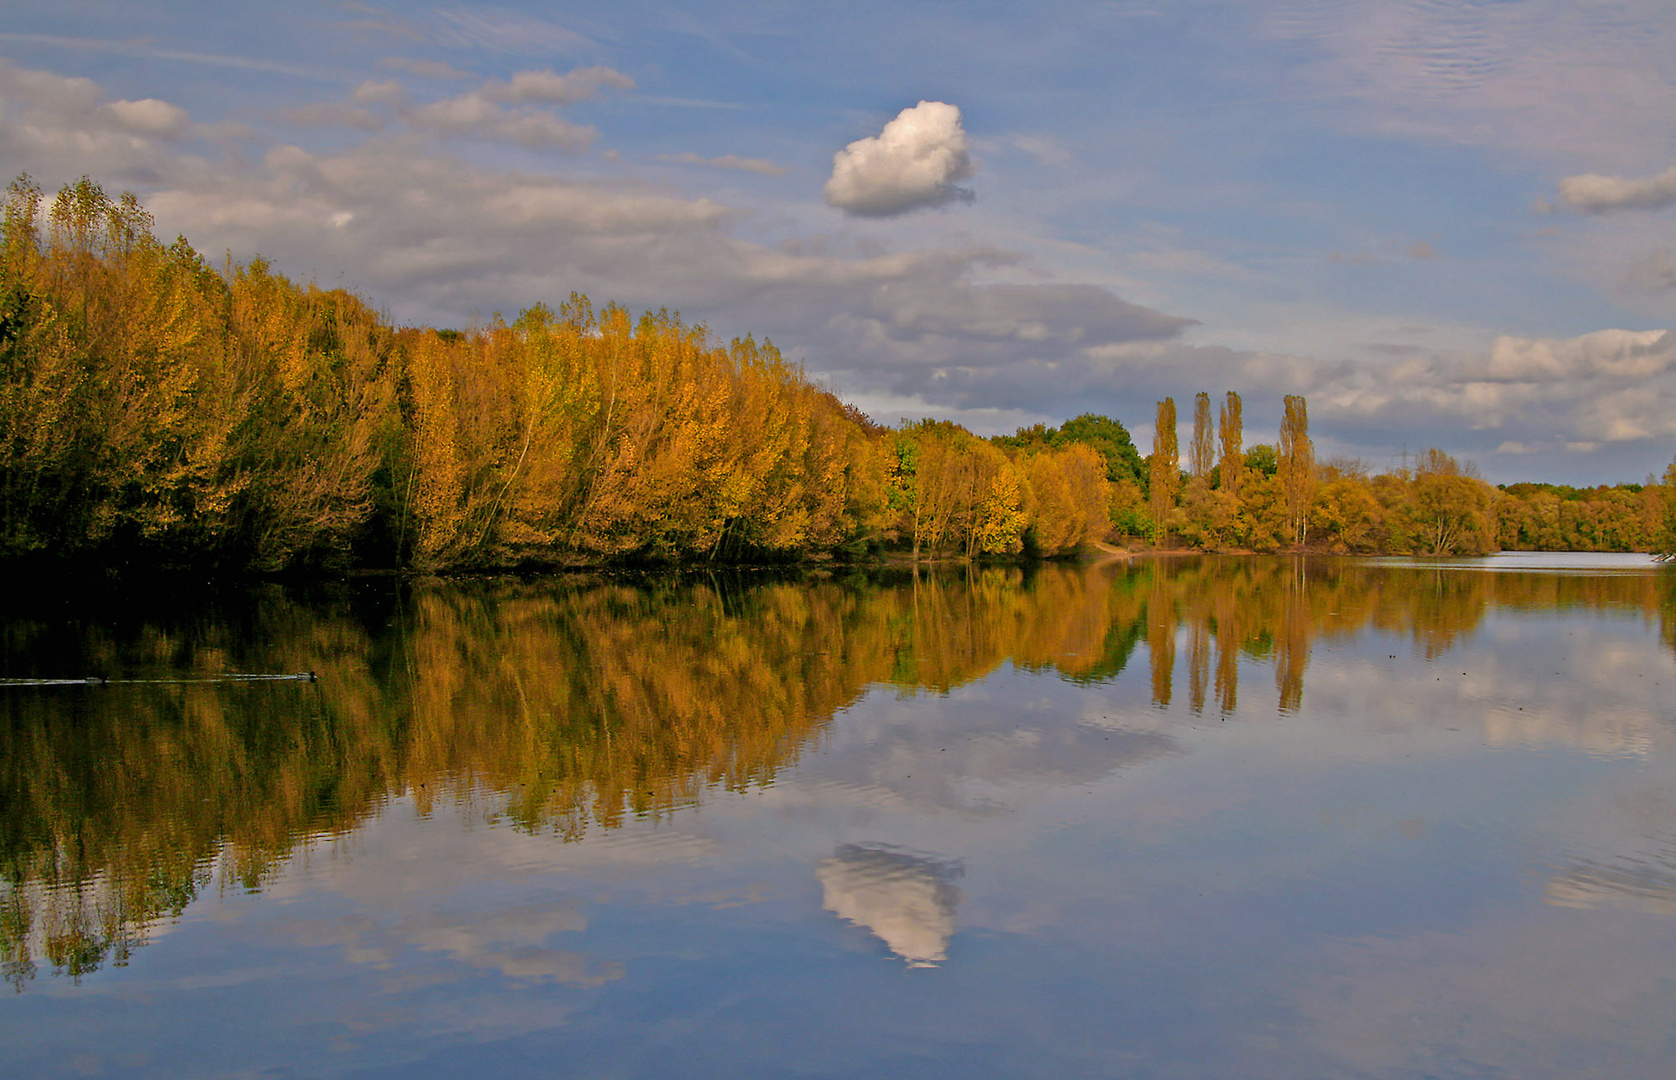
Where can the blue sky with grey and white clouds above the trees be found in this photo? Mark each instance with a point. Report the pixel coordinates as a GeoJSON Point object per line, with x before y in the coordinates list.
{"type": "Point", "coordinates": [1444, 222]}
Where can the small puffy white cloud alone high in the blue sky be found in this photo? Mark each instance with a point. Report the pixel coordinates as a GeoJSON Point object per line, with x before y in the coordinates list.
{"type": "Point", "coordinates": [914, 162]}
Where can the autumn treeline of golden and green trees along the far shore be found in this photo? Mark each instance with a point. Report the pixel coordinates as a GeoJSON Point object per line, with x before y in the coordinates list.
{"type": "Point", "coordinates": [160, 412]}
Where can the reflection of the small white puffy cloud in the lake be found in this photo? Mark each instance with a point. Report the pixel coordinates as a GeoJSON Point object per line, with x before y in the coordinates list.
{"type": "Point", "coordinates": [906, 898]}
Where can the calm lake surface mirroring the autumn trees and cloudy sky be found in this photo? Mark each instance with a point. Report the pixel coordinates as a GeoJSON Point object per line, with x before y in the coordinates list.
{"type": "Point", "coordinates": [1176, 819]}
